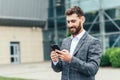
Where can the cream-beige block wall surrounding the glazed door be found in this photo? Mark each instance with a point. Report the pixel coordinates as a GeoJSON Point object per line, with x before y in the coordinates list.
{"type": "Point", "coordinates": [30, 39]}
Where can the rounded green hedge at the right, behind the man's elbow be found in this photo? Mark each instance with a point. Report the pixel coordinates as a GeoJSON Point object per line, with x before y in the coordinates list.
{"type": "Point", "coordinates": [111, 57]}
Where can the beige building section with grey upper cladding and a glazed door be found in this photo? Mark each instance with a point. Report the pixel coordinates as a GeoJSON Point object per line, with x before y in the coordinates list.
{"type": "Point", "coordinates": [21, 30]}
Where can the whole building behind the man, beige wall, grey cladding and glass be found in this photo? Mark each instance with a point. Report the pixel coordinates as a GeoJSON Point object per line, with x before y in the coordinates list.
{"type": "Point", "coordinates": [28, 27]}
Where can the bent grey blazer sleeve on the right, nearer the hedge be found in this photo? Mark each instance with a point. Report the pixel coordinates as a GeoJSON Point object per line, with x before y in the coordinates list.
{"type": "Point", "coordinates": [89, 67]}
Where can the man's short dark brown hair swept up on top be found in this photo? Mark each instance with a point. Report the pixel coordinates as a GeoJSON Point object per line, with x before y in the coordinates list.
{"type": "Point", "coordinates": [73, 10]}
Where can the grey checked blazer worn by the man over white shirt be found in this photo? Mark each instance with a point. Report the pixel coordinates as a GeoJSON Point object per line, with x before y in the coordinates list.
{"type": "Point", "coordinates": [85, 61]}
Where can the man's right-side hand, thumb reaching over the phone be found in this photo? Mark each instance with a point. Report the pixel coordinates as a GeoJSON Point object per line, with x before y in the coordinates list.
{"type": "Point", "coordinates": [64, 55]}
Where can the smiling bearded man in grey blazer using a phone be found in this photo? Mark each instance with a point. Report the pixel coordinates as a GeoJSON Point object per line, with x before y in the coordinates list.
{"type": "Point", "coordinates": [80, 54]}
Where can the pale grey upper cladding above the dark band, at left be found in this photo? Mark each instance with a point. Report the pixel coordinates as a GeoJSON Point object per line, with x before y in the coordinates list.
{"type": "Point", "coordinates": [24, 9]}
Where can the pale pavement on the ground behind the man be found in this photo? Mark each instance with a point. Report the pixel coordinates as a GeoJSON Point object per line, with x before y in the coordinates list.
{"type": "Point", "coordinates": [43, 71]}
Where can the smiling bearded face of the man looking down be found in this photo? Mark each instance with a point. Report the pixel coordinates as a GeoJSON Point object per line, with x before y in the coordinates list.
{"type": "Point", "coordinates": [74, 23]}
